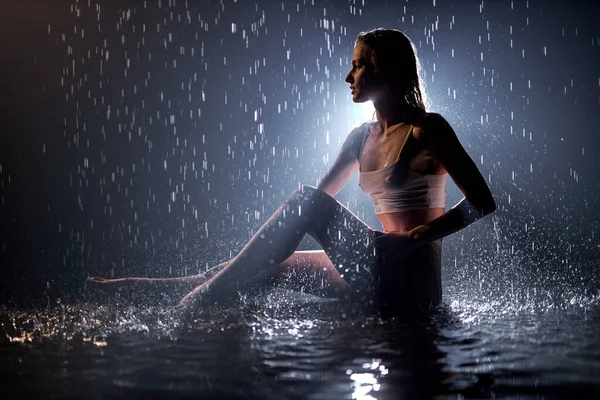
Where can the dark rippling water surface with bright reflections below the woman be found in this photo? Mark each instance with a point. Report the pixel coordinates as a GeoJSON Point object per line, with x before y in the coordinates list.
{"type": "Point", "coordinates": [287, 345]}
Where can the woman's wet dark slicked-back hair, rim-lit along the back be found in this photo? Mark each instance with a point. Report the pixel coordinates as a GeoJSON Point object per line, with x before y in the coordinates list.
{"type": "Point", "coordinates": [392, 54]}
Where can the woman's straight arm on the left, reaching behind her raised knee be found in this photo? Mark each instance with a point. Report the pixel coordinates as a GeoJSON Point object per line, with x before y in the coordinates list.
{"type": "Point", "coordinates": [345, 165]}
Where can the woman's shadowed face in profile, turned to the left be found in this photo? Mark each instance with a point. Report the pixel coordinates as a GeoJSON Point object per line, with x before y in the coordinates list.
{"type": "Point", "coordinates": [364, 82]}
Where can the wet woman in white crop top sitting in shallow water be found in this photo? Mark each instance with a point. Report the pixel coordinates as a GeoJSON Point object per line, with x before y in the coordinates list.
{"type": "Point", "coordinates": [403, 158]}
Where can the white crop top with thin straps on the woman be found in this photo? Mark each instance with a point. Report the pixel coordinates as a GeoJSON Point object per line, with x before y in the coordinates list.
{"type": "Point", "coordinates": [398, 188]}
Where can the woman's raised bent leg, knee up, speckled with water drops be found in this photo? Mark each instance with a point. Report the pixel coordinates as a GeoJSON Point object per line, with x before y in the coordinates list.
{"type": "Point", "coordinates": [347, 241]}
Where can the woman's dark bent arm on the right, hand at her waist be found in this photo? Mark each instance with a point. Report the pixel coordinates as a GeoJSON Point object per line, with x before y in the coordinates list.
{"type": "Point", "coordinates": [478, 201]}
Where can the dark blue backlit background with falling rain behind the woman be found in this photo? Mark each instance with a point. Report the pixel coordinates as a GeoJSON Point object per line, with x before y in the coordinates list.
{"type": "Point", "coordinates": [153, 138]}
